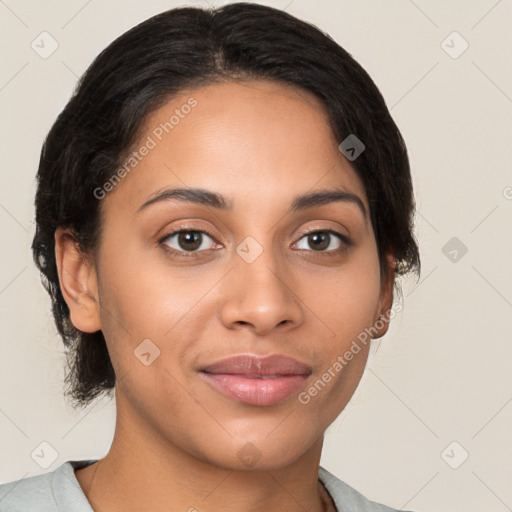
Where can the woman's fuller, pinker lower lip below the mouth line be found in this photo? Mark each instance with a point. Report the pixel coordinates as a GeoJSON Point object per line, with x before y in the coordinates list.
{"type": "Point", "coordinates": [256, 391]}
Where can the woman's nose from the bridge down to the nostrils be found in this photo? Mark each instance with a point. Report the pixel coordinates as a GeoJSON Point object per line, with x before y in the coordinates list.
{"type": "Point", "coordinates": [259, 291]}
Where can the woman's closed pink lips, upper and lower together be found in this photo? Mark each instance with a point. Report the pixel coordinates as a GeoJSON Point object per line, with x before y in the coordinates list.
{"type": "Point", "coordinates": [256, 380]}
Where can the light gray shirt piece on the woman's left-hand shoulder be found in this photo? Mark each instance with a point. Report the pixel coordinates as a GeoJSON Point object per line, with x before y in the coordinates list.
{"type": "Point", "coordinates": [49, 492]}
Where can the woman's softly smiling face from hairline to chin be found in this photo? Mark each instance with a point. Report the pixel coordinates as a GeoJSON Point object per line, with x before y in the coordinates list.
{"type": "Point", "coordinates": [184, 283]}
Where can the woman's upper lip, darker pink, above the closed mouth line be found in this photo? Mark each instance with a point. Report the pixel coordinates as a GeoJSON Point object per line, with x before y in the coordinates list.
{"type": "Point", "coordinates": [247, 364]}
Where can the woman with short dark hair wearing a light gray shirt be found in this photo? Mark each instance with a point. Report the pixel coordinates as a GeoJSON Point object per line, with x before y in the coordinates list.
{"type": "Point", "coordinates": [222, 210]}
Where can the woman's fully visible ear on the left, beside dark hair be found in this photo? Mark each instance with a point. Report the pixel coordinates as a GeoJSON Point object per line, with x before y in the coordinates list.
{"type": "Point", "coordinates": [78, 282]}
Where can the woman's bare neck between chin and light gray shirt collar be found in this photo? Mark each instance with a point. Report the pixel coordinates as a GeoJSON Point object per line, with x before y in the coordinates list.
{"type": "Point", "coordinates": [144, 471]}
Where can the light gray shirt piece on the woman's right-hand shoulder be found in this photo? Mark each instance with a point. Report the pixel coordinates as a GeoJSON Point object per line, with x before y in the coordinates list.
{"type": "Point", "coordinates": [346, 498]}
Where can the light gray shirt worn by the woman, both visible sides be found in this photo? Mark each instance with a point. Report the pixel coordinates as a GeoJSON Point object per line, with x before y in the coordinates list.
{"type": "Point", "coordinates": [59, 491]}
